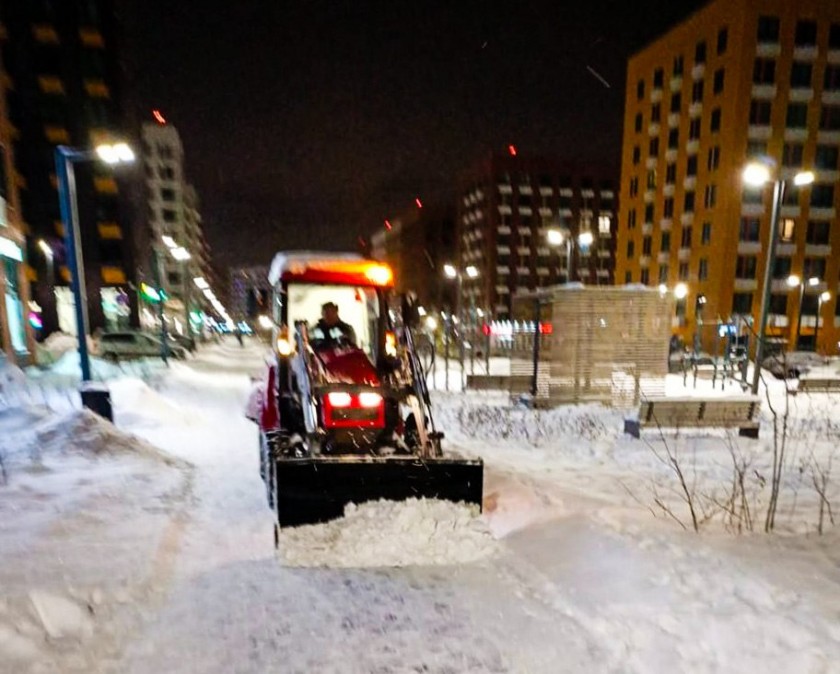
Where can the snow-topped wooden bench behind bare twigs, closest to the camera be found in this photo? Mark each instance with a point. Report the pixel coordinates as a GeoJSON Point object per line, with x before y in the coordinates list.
{"type": "Point", "coordinates": [740, 413]}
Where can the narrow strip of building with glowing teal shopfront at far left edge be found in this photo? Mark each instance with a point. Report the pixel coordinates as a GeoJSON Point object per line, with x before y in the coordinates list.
{"type": "Point", "coordinates": [16, 339]}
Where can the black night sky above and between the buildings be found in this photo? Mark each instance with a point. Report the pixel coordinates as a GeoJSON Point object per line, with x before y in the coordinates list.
{"type": "Point", "coordinates": [306, 123]}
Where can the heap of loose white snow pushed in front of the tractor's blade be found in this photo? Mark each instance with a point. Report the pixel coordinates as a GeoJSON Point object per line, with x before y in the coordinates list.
{"type": "Point", "coordinates": [416, 532]}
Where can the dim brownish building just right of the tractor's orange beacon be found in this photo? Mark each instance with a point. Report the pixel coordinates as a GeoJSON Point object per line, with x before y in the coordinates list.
{"type": "Point", "coordinates": [417, 244]}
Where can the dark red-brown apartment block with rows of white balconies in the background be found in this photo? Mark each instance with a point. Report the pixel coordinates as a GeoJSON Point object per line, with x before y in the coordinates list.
{"type": "Point", "coordinates": [507, 205]}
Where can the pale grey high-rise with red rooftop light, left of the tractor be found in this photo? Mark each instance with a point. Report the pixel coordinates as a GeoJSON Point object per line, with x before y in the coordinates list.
{"type": "Point", "coordinates": [177, 251]}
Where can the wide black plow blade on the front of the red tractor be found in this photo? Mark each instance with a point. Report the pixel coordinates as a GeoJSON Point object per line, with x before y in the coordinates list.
{"type": "Point", "coordinates": [313, 490]}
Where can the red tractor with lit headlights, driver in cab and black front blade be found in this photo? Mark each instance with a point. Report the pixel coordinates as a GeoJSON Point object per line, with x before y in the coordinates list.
{"type": "Point", "coordinates": [344, 412]}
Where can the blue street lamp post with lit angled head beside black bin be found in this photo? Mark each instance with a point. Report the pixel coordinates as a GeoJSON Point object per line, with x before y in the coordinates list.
{"type": "Point", "coordinates": [65, 159]}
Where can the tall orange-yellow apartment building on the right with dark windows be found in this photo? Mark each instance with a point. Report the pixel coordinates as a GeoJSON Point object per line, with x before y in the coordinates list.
{"type": "Point", "coordinates": [740, 80]}
